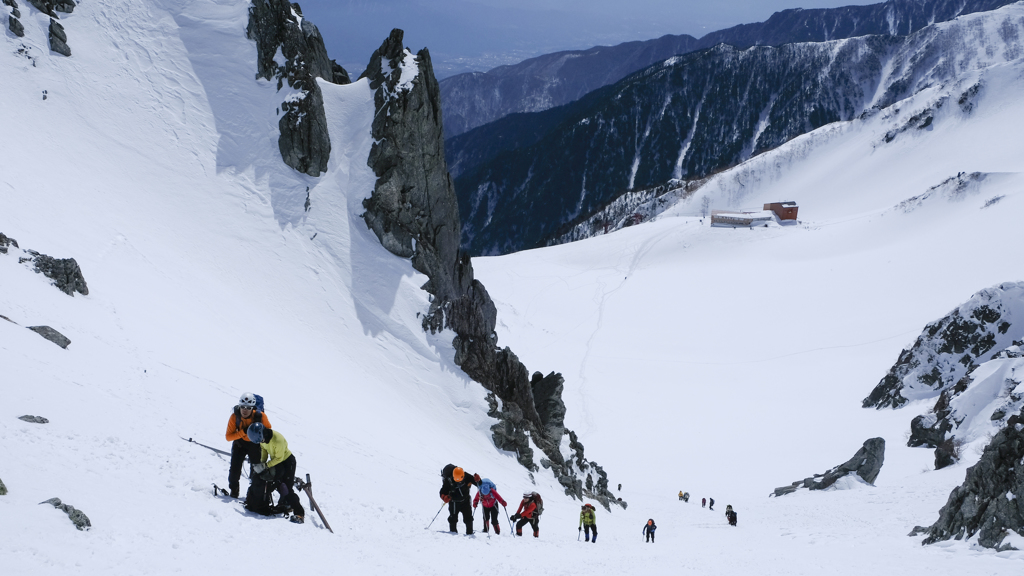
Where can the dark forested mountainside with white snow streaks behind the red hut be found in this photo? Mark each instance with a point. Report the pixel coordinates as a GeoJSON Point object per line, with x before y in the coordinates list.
{"type": "Point", "coordinates": [700, 113]}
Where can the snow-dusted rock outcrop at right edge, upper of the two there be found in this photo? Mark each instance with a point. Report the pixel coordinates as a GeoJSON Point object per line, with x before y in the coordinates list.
{"type": "Point", "coordinates": [951, 348]}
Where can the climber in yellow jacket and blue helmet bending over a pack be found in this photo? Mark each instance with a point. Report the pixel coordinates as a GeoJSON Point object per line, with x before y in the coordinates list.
{"type": "Point", "coordinates": [275, 473]}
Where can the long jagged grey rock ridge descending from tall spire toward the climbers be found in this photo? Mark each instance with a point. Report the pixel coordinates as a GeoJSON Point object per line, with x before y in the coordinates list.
{"type": "Point", "coordinates": [414, 213]}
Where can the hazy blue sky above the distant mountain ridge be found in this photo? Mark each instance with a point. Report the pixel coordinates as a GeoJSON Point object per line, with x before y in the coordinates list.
{"type": "Point", "coordinates": [466, 35]}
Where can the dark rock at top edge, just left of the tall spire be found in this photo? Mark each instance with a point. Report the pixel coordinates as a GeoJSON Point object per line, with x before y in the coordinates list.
{"type": "Point", "coordinates": [305, 142]}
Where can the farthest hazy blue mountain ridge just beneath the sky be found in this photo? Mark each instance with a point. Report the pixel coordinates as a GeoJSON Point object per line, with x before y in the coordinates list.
{"type": "Point", "coordinates": [549, 81]}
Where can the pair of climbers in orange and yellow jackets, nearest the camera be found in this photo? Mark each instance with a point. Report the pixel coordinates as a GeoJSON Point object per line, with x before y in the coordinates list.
{"type": "Point", "coordinates": [272, 465]}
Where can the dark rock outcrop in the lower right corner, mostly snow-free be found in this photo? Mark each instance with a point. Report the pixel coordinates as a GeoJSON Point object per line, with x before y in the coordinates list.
{"type": "Point", "coordinates": [989, 504]}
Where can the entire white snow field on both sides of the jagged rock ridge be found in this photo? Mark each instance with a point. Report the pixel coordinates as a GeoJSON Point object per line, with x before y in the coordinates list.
{"type": "Point", "coordinates": [720, 362]}
